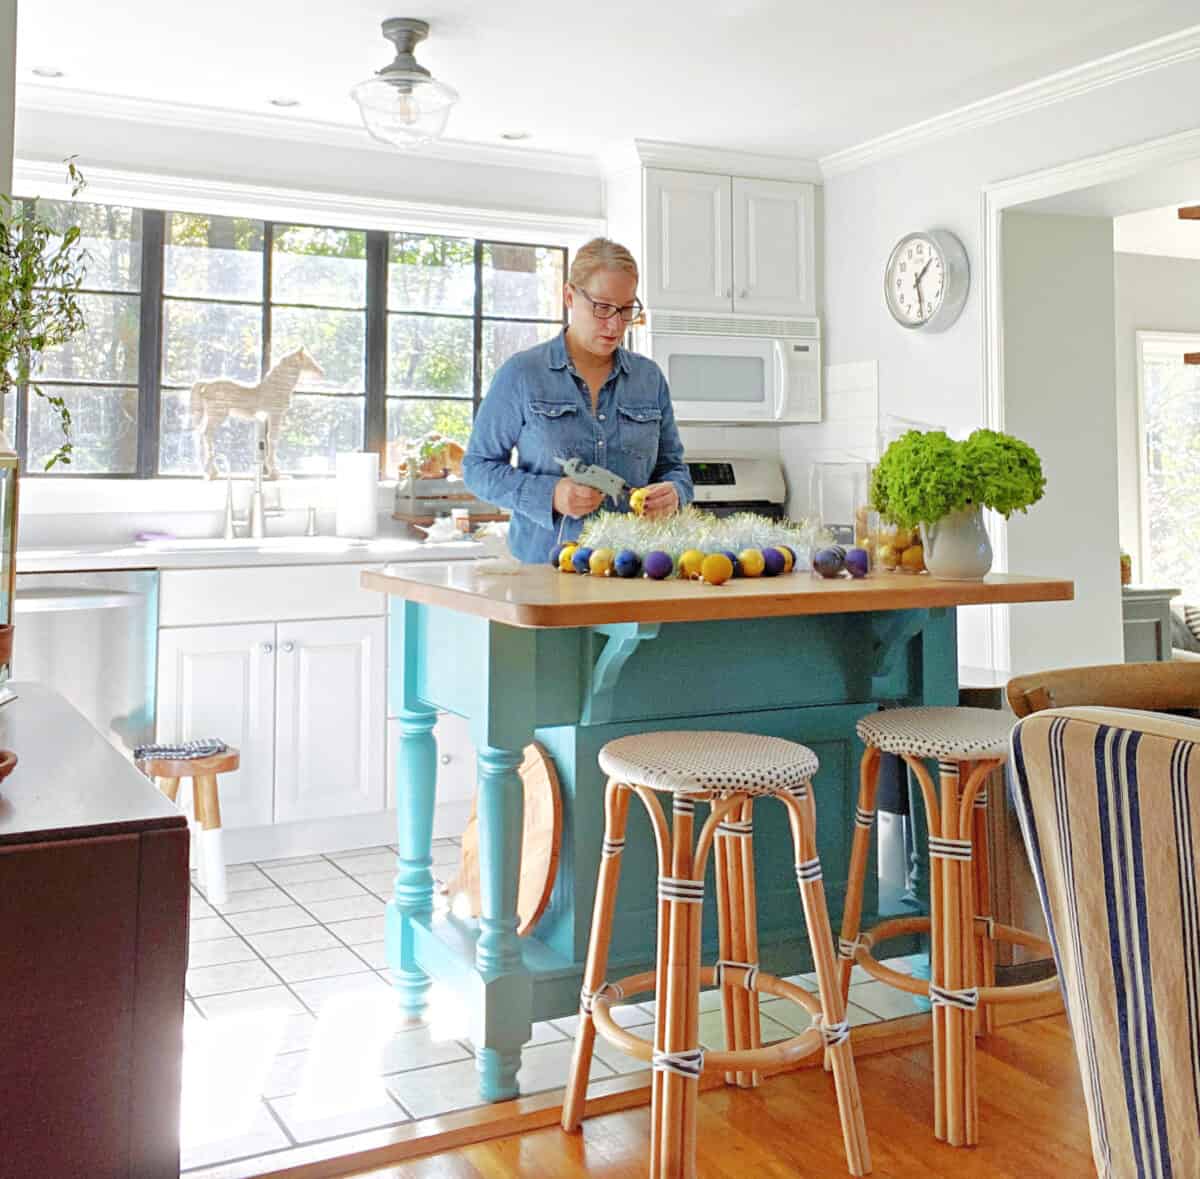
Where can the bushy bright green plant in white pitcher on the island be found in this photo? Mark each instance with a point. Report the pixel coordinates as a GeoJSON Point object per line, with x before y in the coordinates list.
{"type": "Point", "coordinates": [929, 481]}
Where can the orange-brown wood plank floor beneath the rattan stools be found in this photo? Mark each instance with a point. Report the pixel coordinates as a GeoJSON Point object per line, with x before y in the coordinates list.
{"type": "Point", "coordinates": [1034, 1126]}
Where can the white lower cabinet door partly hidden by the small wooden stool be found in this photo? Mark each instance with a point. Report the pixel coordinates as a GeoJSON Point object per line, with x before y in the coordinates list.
{"type": "Point", "coordinates": [220, 683]}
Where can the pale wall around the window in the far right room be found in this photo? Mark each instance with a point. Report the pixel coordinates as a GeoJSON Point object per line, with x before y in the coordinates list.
{"type": "Point", "coordinates": [1153, 295]}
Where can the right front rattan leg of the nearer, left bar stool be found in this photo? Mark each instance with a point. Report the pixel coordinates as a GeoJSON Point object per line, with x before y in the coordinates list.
{"type": "Point", "coordinates": [802, 816]}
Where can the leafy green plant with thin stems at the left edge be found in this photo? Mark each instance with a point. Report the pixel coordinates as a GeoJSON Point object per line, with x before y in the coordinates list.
{"type": "Point", "coordinates": [41, 273]}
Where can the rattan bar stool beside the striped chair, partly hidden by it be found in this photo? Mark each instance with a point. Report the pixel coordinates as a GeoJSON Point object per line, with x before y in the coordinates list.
{"type": "Point", "coordinates": [968, 745]}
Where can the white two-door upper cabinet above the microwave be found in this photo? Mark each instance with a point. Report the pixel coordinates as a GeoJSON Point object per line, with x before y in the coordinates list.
{"type": "Point", "coordinates": [721, 244]}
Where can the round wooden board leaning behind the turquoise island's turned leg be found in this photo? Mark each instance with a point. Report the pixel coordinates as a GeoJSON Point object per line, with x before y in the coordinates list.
{"type": "Point", "coordinates": [539, 846]}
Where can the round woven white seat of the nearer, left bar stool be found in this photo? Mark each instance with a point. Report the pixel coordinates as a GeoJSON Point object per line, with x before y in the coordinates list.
{"type": "Point", "coordinates": [710, 763]}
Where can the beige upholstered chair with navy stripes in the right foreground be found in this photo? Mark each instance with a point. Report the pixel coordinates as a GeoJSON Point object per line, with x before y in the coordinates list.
{"type": "Point", "coordinates": [1109, 804]}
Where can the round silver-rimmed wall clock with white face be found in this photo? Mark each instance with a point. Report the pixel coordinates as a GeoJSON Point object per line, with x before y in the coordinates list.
{"type": "Point", "coordinates": [927, 279]}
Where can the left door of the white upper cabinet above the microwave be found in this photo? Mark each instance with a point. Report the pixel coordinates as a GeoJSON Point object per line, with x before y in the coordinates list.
{"type": "Point", "coordinates": [688, 241]}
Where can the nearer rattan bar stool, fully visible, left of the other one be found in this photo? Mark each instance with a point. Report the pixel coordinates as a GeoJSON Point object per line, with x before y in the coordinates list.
{"type": "Point", "coordinates": [728, 770]}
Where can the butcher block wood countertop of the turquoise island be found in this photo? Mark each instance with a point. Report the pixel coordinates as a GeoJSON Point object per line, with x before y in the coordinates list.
{"type": "Point", "coordinates": [538, 596]}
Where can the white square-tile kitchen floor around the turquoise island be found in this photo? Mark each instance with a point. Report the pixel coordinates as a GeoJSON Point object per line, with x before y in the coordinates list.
{"type": "Point", "coordinates": [291, 1036]}
